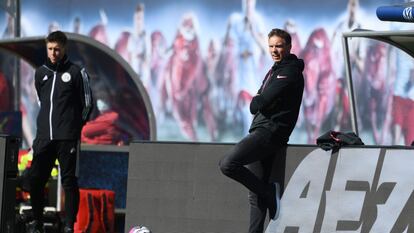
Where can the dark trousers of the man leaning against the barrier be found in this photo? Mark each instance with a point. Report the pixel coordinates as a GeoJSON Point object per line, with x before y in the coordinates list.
{"type": "Point", "coordinates": [257, 150]}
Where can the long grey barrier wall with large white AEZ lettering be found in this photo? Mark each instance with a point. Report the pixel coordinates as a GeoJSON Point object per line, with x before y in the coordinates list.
{"type": "Point", "coordinates": [178, 187]}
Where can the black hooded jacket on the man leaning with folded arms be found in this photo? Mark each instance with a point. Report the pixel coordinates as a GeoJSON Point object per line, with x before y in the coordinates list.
{"type": "Point", "coordinates": [276, 107]}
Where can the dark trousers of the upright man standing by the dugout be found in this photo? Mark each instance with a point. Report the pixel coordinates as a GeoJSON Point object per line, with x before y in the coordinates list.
{"type": "Point", "coordinates": [45, 153]}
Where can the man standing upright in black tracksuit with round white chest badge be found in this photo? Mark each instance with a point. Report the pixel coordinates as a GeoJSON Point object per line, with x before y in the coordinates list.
{"type": "Point", "coordinates": [65, 100]}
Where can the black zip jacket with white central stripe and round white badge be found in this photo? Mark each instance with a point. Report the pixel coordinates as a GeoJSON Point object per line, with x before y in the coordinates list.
{"type": "Point", "coordinates": [65, 100]}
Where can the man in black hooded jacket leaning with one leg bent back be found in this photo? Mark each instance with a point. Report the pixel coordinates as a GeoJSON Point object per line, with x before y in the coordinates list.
{"type": "Point", "coordinates": [276, 109]}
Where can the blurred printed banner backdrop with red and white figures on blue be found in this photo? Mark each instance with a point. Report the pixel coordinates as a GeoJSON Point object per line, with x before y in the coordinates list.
{"type": "Point", "coordinates": [202, 61]}
